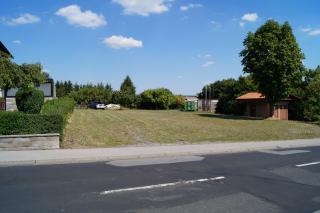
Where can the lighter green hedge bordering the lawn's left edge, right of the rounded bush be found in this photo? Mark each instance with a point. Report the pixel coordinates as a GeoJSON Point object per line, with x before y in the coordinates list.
{"type": "Point", "coordinates": [60, 106]}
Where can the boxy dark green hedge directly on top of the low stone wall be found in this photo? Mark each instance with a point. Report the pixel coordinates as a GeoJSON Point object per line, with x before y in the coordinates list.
{"type": "Point", "coordinates": [17, 123]}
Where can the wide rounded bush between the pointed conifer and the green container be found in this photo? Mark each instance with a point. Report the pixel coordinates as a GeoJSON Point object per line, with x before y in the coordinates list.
{"type": "Point", "coordinates": [156, 99]}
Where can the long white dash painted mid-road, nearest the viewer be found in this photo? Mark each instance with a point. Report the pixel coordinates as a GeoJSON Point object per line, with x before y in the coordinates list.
{"type": "Point", "coordinates": [161, 185]}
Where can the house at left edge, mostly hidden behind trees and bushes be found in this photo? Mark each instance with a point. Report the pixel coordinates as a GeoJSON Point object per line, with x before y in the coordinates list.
{"type": "Point", "coordinates": [8, 101]}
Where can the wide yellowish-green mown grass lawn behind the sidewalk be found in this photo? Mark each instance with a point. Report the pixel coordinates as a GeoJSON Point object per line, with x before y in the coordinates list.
{"type": "Point", "coordinates": [91, 128]}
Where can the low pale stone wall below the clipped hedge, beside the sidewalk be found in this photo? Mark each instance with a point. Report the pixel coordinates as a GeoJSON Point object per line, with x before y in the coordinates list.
{"type": "Point", "coordinates": [29, 142]}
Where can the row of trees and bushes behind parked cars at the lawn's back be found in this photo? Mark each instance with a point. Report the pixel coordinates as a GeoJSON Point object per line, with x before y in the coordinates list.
{"type": "Point", "coordinates": [83, 94]}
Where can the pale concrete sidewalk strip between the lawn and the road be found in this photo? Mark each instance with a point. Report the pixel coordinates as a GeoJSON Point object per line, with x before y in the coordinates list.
{"type": "Point", "coordinates": [60, 156]}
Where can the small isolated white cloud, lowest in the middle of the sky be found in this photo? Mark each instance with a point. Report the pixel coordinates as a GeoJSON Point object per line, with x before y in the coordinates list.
{"type": "Point", "coordinates": [121, 42]}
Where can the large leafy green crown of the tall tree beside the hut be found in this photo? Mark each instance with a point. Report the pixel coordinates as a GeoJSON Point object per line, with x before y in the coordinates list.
{"type": "Point", "coordinates": [273, 57]}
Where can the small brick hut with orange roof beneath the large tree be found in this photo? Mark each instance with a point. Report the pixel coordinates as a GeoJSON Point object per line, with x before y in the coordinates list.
{"type": "Point", "coordinates": [257, 106]}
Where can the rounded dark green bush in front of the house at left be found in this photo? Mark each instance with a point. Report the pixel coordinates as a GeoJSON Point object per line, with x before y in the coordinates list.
{"type": "Point", "coordinates": [29, 100]}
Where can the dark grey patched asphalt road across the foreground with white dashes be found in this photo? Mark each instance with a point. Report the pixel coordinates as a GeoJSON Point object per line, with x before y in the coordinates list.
{"type": "Point", "coordinates": [245, 182]}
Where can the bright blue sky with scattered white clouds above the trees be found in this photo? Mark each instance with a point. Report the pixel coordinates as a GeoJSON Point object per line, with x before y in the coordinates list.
{"type": "Point", "coordinates": [178, 44]}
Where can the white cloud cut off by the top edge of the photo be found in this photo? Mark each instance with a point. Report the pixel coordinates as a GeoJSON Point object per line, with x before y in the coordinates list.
{"type": "Point", "coordinates": [143, 7]}
